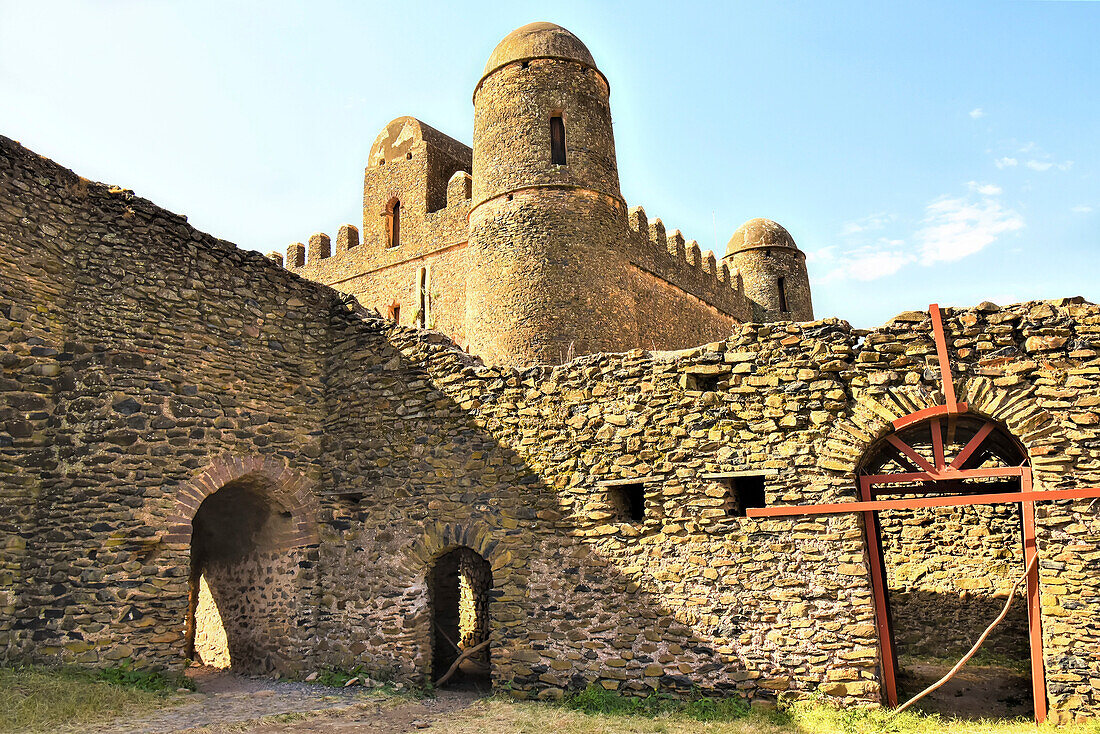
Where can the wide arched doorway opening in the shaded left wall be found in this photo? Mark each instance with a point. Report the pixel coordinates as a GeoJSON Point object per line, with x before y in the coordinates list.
{"type": "Point", "coordinates": [239, 577]}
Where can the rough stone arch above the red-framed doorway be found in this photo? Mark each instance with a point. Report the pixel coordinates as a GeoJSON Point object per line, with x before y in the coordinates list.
{"type": "Point", "coordinates": [1016, 409]}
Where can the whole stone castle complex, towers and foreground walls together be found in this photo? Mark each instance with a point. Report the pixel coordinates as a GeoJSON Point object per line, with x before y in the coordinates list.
{"type": "Point", "coordinates": [206, 455]}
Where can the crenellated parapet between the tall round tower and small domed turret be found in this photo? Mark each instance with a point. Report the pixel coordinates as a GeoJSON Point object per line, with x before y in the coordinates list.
{"type": "Point", "coordinates": [683, 264]}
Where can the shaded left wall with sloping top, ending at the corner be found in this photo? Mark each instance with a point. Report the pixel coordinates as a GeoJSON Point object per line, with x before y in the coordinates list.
{"type": "Point", "coordinates": [137, 352]}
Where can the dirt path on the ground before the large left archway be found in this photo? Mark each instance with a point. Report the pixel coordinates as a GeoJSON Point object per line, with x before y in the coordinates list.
{"type": "Point", "coordinates": [226, 703]}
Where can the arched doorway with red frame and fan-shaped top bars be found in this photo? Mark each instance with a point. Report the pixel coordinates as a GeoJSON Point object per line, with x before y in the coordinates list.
{"type": "Point", "coordinates": [943, 574]}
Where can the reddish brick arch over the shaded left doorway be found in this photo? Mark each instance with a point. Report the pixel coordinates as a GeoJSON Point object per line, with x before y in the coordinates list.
{"type": "Point", "coordinates": [291, 491]}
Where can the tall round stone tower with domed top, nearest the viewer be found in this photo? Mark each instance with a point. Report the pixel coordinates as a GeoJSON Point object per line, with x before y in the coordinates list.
{"type": "Point", "coordinates": [546, 213]}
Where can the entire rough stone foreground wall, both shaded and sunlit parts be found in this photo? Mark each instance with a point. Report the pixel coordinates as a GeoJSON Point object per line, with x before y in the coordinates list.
{"type": "Point", "coordinates": [147, 365]}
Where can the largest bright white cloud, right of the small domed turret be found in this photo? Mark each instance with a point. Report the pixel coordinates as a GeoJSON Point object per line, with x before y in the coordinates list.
{"type": "Point", "coordinates": [955, 228]}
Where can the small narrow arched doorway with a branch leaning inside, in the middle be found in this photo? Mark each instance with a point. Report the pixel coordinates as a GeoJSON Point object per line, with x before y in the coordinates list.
{"type": "Point", "coordinates": [459, 587]}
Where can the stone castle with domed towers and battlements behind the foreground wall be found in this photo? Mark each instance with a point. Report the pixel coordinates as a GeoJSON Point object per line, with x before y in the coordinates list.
{"type": "Point", "coordinates": [535, 258]}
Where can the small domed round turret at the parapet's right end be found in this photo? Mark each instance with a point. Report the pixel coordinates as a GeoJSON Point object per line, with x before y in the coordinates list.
{"type": "Point", "coordinates": [774, 271]}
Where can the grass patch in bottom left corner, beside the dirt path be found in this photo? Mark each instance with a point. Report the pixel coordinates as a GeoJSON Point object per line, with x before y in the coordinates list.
{"type": "Point", "coordinates": [35, 699]}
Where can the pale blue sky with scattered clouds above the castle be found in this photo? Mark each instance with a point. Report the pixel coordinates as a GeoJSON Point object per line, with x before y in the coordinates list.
{"type": "Point", "coordinates": [918, 152]}
